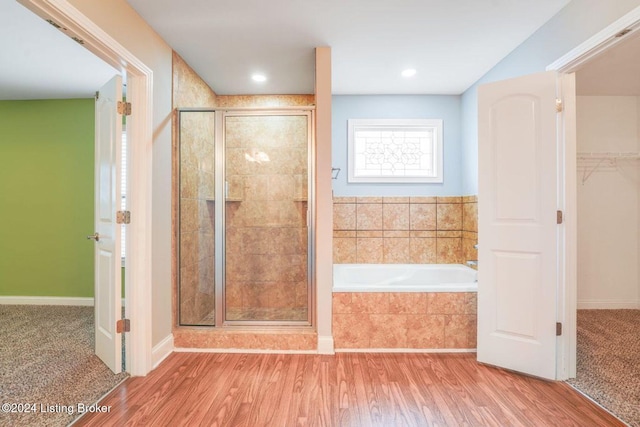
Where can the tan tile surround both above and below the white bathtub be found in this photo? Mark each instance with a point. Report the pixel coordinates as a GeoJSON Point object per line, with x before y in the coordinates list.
{"type": "Point", "coordinates": [405, 230]}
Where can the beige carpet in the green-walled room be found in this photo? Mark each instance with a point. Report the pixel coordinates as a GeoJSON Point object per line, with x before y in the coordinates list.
{"type": "Point", "coordinates": [47, 360]}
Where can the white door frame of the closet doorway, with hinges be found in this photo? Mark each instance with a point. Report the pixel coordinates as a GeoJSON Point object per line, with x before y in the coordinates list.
{"type": "Point", "coordinates": [567, 296]}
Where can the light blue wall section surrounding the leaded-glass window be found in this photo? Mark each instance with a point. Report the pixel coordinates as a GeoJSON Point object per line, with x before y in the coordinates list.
{"type": "Point", "coordinates": [445, 107]}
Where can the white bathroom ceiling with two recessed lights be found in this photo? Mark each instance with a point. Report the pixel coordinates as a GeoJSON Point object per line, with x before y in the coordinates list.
{"type": "Point", "coordinates": [450, 43]}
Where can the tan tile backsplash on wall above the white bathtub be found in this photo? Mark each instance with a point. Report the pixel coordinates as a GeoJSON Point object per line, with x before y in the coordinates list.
{"type": "Point", "coordinates": [404, 230]}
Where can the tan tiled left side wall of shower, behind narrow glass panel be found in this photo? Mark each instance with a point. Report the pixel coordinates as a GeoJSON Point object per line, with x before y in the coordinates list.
{"type": "Point", "coordinates": [194, 166]}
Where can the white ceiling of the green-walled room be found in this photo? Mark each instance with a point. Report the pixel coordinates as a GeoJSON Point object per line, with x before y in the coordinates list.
{"type": "Point", "coordinates": [38, 61]}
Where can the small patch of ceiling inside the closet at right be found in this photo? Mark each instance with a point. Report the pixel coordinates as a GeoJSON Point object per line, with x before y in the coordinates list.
{"type": "Point", "coordinates": [616, 72]}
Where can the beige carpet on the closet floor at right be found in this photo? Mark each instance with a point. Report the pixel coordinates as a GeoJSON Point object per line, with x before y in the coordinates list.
{"type": "Point", "coordinates": [608, 368]}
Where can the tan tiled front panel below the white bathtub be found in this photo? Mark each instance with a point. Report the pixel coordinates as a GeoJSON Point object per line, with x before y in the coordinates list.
{"type": "Point", "coordinates": [404, 320]}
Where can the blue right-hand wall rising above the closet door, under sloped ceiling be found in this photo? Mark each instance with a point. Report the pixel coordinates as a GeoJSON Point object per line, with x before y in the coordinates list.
{"type": "Point", "coordinates": [574, 24]}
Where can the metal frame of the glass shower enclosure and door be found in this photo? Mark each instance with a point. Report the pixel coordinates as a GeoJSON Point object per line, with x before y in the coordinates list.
{"type": "Point", "coordinates": [220, 174]}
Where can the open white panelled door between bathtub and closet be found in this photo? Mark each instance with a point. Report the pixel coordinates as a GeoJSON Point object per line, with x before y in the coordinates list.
{"type": "Point", "coordinates": [517, 204]}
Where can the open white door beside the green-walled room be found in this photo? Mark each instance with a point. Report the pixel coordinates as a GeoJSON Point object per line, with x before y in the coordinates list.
{"type": "Point", "coordinates": [108, 294]}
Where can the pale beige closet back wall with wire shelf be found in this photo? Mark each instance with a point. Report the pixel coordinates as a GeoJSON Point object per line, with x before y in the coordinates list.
{"type": "Point", "coordinates": [608, 202]}
